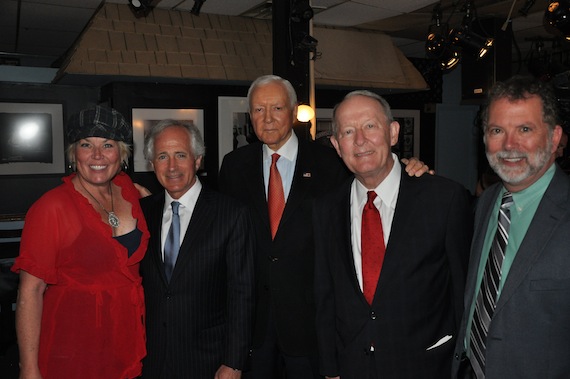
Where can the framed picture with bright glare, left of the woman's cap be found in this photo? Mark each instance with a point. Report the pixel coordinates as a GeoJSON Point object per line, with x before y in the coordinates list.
{"type": "Point", "coordinates": [31, 139]}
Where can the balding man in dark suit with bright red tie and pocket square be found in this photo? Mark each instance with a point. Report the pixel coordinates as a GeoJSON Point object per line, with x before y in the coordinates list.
{"type": "Point", "coordinates": [390, 270]}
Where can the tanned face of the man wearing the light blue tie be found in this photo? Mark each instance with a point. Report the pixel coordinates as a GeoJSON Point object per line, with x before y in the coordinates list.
{"type": "Point", "coordinates": [174, 162]}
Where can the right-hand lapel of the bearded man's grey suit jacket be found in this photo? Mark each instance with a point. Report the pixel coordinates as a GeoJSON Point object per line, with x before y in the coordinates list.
{"type": "Point", "coordinates": [550, 212]}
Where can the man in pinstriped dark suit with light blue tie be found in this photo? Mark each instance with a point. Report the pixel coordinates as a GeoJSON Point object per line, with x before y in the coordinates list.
{"type": "Point", "coordinates": [200, 305]}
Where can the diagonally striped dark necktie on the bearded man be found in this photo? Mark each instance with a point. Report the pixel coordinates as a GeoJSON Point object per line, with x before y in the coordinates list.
{"type": "Point", "coordinates": [487, 296]}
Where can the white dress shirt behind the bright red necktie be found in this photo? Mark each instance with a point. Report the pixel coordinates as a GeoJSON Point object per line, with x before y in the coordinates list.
{"type": "Point", "coordinates": [387, 192]}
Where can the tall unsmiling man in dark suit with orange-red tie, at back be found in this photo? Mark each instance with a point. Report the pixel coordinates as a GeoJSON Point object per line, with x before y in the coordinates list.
{"type": "Point", "coordinates": [284, 327]}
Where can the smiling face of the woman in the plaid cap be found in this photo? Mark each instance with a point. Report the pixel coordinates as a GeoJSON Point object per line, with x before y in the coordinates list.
{"type": "Point", "coordinates": [97, 159]}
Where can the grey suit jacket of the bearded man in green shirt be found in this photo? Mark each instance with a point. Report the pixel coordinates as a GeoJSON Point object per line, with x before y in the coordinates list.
{"type": "Point", "coordinates": [529, 335]}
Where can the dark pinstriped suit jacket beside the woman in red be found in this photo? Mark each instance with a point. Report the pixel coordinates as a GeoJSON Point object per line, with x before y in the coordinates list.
{"type": "Point", "coordinates": [202, 318]}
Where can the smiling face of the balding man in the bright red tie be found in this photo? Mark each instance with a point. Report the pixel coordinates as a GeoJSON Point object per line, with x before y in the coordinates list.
{"type": "Point", "coordinates": [364, 139]}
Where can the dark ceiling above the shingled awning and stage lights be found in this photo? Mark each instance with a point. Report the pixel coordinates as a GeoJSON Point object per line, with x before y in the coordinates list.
{"type": "Point", "coordinates": [38, 33]}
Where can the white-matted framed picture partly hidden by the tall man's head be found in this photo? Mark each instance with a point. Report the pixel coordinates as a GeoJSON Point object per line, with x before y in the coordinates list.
{"type": "Point", "coordinates": [234, 125]}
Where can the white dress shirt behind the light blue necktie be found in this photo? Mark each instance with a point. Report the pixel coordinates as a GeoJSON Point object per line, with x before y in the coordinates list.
{"type": "Point", "coordinates": [187, 204]}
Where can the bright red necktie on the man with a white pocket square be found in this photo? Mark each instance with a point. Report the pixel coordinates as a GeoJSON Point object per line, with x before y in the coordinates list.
{"type": "Point", "coordinates": [373, 248]}
